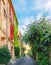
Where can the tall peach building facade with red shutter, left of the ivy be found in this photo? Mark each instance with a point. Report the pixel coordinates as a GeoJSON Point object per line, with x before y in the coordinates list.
{"type": "Point", "coordinates": [7, 23]}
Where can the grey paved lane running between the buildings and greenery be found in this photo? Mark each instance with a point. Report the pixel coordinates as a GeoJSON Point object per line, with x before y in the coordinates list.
{"type": "Point", "coordinates": [24, 61]}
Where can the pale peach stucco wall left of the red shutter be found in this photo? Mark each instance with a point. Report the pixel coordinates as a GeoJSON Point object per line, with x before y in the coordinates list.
{"type": "Point", "coordinates": [3, 26]}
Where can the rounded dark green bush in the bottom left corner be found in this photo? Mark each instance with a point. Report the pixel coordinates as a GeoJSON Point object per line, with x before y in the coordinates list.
{"type": "Point", "coordinates": [4, 55]}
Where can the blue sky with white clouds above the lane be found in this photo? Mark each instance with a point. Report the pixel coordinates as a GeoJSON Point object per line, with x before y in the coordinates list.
{"type": "Point", "coordinates": [29, 10]}
